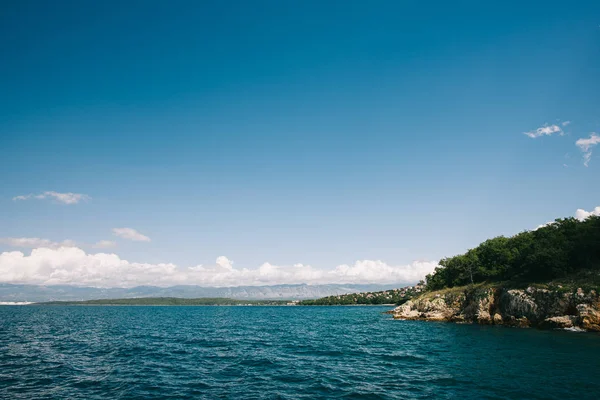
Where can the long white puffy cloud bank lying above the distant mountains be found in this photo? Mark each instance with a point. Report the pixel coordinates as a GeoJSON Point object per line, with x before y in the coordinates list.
{"type": "Point", "coordinates": [68, 265]}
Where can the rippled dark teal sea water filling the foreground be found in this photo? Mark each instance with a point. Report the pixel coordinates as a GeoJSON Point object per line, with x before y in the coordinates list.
{"type": "Point", "coordinates": [282, 353]}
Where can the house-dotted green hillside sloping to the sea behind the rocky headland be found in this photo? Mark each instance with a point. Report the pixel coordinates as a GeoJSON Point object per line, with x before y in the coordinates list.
{"type": "Point", "coordinates": [393, 296]}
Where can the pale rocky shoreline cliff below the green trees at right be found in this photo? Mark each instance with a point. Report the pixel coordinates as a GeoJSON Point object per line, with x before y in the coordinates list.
{"type": "Point", "coordinates": [541, 308]}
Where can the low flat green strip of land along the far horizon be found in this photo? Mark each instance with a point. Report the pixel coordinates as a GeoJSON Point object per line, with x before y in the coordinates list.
{"type": "Point", "coordinates": [168, 301]}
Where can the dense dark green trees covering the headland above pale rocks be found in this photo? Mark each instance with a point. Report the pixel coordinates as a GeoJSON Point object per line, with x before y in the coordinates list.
{"type": "Point", "coordinates": [556, 250]}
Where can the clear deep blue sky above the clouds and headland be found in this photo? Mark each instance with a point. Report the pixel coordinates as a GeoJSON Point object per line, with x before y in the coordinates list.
{"type": "Point", "coordinates": [313, 132]}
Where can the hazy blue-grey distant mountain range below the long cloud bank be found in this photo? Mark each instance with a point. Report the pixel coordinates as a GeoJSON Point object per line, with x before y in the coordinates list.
{"type": "Point", "coordinates": [34, 293]}
